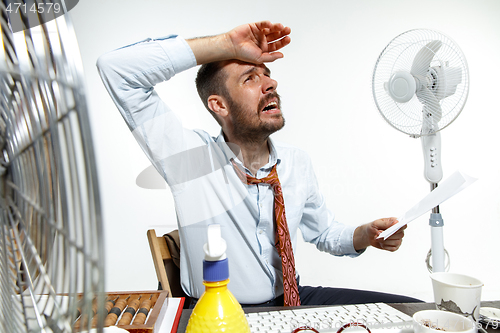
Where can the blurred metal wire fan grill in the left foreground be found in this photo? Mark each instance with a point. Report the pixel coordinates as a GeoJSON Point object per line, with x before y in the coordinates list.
{"type": "Point", "coordinates": [51, 261]}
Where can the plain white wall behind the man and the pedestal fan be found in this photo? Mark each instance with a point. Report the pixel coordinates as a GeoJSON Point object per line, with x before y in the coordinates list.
{"type": "Point", "coordinates": [366, 169]}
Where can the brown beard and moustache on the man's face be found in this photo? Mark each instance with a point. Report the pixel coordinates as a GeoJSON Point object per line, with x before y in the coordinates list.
{"type": "Point", "coordinates": [250, 127]}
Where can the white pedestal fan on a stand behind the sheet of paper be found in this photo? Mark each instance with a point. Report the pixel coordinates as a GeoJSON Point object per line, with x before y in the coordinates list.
{"type": "Point", "coordinates": [420, 85]}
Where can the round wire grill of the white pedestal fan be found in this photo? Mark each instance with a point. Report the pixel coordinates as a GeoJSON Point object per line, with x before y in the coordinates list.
{"type": "Point", "coordinates": [399, 55]}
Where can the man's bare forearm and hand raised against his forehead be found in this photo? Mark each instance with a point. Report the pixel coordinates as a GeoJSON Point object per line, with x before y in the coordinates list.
{"type": "Point", "coordinates": [255, 42]}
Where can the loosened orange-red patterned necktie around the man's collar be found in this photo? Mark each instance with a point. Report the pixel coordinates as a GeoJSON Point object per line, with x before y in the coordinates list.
{"type": "Point", "coordinates": [283, 244]}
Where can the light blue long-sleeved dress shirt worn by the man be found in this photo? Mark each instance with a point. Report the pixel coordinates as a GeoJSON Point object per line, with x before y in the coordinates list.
{"type": "Point", "coordinates": [206, 188]}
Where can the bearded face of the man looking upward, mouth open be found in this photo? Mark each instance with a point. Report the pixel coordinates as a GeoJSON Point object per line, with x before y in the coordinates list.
{"type": "Point", "coordinates": [254, 105]}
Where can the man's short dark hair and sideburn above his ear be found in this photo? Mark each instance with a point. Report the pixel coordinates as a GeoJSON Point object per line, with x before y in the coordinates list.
{"type": "Point", "coordinates": [211, 80]}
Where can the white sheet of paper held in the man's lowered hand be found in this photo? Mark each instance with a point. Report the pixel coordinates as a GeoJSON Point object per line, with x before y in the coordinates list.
{"type": "Point", "coordinates": [448, 188]}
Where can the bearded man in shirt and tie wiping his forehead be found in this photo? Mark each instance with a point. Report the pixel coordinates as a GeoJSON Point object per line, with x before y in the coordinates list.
{"type": "Point", "coordinates": [207, 174]}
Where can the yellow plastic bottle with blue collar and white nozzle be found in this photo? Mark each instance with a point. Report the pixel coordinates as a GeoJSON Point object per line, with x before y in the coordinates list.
{"type": "Point", "coordinates": [217, 309]}
